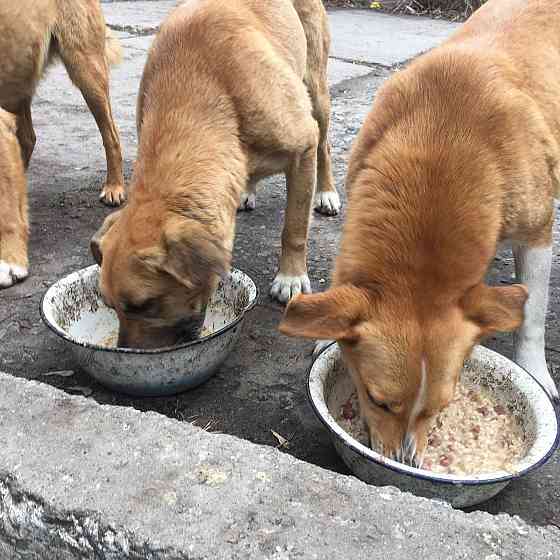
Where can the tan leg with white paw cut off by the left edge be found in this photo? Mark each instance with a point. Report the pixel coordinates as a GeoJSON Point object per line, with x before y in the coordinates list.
{"type": "Point", "coordinates": [14, 227]}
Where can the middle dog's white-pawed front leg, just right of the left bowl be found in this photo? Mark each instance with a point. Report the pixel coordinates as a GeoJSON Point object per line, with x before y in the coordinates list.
{"type": "Point", "coordinates": [292, 277]}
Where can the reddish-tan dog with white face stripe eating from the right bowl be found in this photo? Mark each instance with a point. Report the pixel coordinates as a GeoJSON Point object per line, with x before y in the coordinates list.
{"type": "Point", "coordinates": [460, 152]}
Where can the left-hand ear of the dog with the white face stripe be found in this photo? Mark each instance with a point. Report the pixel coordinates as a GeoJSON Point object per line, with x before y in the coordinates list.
{"type": "Point", "coordinates": [331, 315]}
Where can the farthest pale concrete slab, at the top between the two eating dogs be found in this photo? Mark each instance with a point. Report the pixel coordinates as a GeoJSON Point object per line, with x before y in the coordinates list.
{"type": "Point", "coordinates": [366, 35]}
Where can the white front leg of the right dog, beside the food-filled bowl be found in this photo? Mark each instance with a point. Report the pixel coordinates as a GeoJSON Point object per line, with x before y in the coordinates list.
{"type": "Point", "coordinates": [532, 268]}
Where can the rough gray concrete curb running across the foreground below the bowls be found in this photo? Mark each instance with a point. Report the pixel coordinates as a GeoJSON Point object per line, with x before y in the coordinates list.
{"type": "Point", "coordinates": [81, 480]}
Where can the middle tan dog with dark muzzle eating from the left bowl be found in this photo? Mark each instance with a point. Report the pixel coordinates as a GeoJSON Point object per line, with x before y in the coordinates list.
{"type": "Point", "coordinates": [232, 91]}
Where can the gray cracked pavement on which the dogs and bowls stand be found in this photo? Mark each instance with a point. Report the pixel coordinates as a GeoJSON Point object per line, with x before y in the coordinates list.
{"type": "Point", "coordinates": [264, 380]}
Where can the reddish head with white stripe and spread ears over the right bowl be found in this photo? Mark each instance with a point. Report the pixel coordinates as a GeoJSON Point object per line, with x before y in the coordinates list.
{"type": "Point", "coordinates": [405, 366]}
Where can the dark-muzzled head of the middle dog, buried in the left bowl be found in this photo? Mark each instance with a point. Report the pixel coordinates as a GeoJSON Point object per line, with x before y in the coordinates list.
{"type": "Point", "coordinates": [158, 273]}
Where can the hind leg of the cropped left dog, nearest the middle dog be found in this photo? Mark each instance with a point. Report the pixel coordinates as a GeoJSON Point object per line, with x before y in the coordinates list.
{"type": "Point", "coordinates": [89, 71]}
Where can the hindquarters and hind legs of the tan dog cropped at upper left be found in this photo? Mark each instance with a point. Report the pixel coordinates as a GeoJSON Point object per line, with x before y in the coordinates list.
{"type": "Point", "coordinates": [35, 32]}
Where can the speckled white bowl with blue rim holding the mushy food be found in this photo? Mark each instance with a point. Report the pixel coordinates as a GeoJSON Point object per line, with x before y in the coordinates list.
{"type": "Point", "coordinates": [329, 386]}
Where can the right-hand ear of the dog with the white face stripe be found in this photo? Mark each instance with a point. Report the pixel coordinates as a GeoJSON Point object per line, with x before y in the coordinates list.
{"type": "Point", "coordinates": [498, 309]}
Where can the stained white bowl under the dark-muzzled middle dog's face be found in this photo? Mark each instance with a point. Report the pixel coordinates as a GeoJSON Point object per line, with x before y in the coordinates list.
{"type": "Point", "coordinates": [72, 308]}
